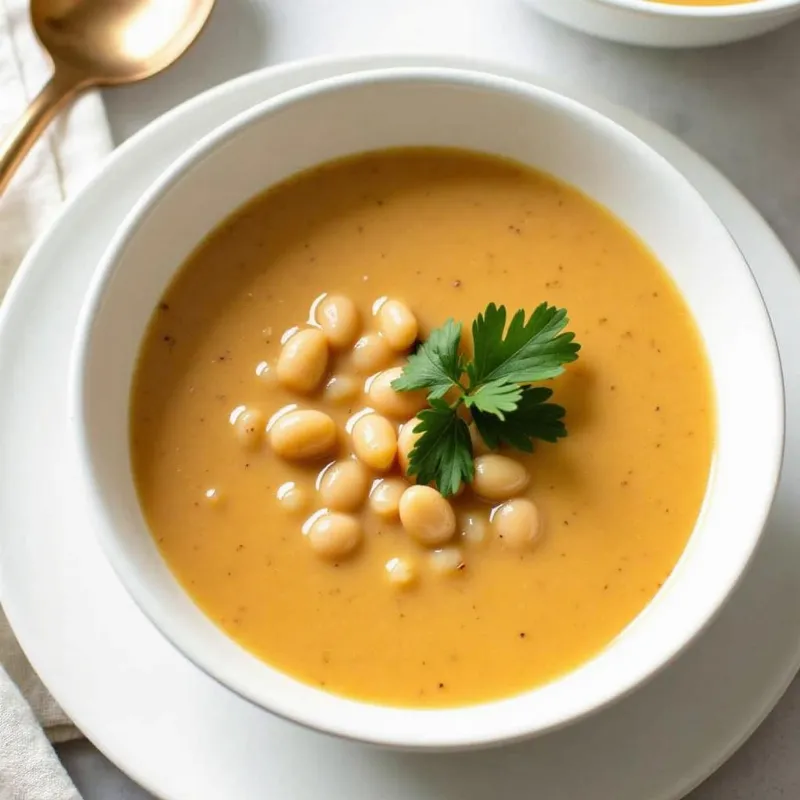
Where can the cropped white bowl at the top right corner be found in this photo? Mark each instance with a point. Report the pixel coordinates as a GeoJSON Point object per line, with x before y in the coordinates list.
{"type": "Point", "coordinates": [644, 22]}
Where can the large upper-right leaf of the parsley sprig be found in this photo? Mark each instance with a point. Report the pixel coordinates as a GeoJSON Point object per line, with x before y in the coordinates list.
{"type": "Point", "coordinates": [531, 351]}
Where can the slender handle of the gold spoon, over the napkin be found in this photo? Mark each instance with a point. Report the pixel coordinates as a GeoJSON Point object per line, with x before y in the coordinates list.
{"type": "Point", "coordinates": [60, 89]}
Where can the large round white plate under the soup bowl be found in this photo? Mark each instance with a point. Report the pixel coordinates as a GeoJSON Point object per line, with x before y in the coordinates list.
{"type": "Point", "coordinates": [182, 735]}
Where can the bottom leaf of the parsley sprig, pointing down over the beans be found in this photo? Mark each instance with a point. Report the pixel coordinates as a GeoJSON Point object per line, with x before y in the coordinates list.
{"type": "Point", "coordinates": [443, 454]}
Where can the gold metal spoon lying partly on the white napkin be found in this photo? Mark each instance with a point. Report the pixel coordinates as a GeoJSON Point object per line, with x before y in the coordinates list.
{"type": "Point", "coordinates": [99, 43]}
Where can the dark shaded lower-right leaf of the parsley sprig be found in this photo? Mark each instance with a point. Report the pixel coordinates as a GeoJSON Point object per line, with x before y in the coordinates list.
{"type": "Point", "coordinates": [533, 418]}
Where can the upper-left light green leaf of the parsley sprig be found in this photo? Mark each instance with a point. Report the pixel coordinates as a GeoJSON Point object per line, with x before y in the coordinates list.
{"type": "Point", "coordinates": [437, 365]}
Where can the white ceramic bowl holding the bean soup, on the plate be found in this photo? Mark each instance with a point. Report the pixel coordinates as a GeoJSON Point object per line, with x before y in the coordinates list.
{"type": "Point", "coordinates": [396, 107]}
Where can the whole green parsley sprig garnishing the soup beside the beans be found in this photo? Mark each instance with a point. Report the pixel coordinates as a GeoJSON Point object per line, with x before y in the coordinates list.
{"type": "Point", "coordinates": [505, 408]}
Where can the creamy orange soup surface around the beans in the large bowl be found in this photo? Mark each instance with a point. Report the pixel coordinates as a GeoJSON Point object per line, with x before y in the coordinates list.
{"type": "Point", "coordinates": [446, 232]}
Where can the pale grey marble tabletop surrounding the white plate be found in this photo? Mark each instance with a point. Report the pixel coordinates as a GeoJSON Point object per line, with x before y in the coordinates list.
{"type": "Point", "coordinates": [739, 106]}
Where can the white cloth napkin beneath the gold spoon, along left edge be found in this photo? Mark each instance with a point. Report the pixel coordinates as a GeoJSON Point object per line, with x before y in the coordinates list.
{"type": "Point", "coordinates": [58, 165]}
